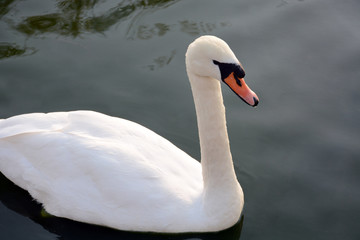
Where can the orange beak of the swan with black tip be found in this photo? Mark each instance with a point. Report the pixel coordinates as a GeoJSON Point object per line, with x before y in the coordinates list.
{"type": "Point", "coordinates": [239, 86]}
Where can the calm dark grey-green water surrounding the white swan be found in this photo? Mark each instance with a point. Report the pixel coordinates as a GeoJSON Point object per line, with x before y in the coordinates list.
{"type": "Point", "coordinates": [297, 155]}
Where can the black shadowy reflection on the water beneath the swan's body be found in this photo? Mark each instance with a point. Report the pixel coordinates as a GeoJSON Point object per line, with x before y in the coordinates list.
{"type": "Point", "coordinates": [21, 202]}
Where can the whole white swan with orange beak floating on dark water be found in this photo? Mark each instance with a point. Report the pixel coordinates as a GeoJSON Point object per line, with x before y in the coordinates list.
{"type": "Point", "coordinates": [104, 170]}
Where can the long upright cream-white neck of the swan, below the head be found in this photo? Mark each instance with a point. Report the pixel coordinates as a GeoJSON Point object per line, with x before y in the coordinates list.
{"type": "Point", "coordinates": [220, 182]}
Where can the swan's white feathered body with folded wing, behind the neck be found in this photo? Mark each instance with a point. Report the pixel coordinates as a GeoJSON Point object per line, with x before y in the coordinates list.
{"type": "Point", "coordinates": [95, 168]}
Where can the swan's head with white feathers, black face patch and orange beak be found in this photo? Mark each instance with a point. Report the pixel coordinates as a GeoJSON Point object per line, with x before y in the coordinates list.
{"type": "Point", "coordinates": [210, 56]}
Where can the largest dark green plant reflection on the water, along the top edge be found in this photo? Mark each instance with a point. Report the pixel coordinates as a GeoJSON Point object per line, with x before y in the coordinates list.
{"type": "Point", "coordinates": [76, 17]}
